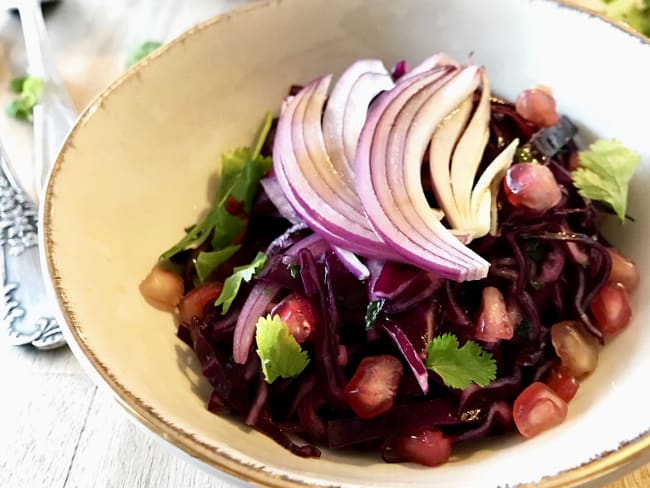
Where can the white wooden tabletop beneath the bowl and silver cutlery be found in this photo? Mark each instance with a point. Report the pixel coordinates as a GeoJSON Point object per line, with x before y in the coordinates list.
{"type": "Point", "coordinates": [56, 429]}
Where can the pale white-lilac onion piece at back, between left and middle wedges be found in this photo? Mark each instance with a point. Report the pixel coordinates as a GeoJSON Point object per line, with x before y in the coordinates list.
{"type": "Point", "coordinates": [346, 111]}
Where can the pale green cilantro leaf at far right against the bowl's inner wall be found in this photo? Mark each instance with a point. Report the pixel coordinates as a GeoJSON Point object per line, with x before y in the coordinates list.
{"type": "Point", "coordinates": [605, 172]}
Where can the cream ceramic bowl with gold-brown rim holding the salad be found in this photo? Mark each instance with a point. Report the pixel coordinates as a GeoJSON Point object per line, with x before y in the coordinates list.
{"type": "Point", "coordinates": [136, 170]}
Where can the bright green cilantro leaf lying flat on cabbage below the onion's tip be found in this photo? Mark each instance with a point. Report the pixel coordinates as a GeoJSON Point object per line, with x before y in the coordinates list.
{"type": "Point", "coordinates": [459, 367]}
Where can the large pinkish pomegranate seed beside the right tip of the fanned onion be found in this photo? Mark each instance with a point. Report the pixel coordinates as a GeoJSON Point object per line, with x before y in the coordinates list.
{"type": "Point", "coordinates": [532, 186]}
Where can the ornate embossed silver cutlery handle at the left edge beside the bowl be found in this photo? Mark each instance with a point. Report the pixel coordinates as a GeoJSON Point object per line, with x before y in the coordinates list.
{"type": "Point", "coordinates": [27, 309]}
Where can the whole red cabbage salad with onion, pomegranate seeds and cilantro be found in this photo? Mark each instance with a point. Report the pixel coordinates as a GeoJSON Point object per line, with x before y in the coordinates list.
{"type": "Point", "coordinates": [402, 262]}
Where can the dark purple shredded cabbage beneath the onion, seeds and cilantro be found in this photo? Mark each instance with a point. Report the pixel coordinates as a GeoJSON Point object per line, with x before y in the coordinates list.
{"type": "Point", "coordinates": [530, 264]}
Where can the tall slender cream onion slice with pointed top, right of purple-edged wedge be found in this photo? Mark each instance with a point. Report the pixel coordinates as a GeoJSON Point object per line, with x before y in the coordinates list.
{"type": "Point", "coordinates": [469, 151]}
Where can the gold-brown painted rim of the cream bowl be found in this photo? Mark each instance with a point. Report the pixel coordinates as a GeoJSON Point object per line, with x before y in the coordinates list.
{"type": "Point", "coordinates": [601, 465]}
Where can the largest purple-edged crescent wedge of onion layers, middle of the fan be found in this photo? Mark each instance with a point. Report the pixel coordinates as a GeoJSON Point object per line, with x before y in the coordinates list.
{"type": "Point", "coordinates": [397, 132]}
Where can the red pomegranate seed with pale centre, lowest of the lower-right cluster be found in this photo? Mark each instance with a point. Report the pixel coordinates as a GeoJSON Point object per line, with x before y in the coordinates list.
{"type": "Point", "coordinates": [538, 408]}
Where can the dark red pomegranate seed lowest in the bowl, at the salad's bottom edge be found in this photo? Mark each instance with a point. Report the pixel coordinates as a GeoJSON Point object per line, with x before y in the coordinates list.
{"type": "Point", "coordinates": [428, 447]}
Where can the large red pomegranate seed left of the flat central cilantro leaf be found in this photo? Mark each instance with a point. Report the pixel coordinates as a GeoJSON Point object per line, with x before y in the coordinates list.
{"type": "Point", "coordinates": [372, 389]}
